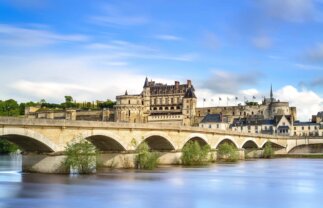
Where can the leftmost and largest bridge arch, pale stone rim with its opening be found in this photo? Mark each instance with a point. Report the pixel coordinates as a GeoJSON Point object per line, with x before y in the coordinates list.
{"type": "Point", "coordinates": [28, 140]}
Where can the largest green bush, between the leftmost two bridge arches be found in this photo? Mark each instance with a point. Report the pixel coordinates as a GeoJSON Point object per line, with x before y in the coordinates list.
{"type": "Point", "coordinates": [81, 156]}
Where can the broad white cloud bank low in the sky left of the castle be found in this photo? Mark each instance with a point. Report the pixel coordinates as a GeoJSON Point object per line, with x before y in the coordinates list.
{"type": "Point", "coordinates": [53, 77]}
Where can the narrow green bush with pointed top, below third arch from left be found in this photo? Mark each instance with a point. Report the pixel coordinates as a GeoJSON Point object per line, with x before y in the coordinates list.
{"type": "Point", "coordinates": [146, 159]}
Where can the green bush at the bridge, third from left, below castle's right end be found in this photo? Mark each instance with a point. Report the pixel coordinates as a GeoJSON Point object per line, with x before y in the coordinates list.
{"type": "Point", "coordinates": [194, 154]}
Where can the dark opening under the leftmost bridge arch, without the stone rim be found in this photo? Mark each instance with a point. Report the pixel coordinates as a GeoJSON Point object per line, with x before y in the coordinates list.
{"type": "Point", "coordinates": [27, 144]}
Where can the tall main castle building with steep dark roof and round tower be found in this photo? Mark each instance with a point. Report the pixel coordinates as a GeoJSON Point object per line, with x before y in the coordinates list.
{"type": "Point", "coordinates": [158, 102]}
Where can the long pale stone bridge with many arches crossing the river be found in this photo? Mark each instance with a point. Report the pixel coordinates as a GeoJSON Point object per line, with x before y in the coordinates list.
{"type": "Point", "coordinates": [43, 140]}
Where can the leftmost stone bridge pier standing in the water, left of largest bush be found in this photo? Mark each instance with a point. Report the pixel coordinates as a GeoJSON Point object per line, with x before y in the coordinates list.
{"type": "Point", "coordinates": [43, 163]}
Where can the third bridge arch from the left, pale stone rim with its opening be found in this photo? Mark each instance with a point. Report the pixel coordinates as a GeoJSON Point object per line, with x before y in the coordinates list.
{"type": "Point", "coordinates": [158, 141]}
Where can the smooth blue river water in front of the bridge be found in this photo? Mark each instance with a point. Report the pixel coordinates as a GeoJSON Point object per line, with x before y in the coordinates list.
{"type": "Point", "coordinates": [258, 183]}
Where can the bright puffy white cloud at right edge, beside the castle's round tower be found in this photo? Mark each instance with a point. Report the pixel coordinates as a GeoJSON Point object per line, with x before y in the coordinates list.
{"type": "Point", "coordinates": [308, 103]}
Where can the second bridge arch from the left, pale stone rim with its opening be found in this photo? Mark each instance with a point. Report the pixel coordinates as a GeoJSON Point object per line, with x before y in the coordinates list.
{"type": "Point", "coordinates": [105, 141]}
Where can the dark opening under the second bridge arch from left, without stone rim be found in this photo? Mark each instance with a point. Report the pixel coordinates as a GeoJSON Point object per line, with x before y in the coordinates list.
{"type": "Point", "coordinates": [105, 143]}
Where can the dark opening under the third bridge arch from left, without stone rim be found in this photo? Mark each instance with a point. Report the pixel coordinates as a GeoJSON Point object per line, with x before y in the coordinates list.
{"type": "Point", "coordinates": [159, 143]}
